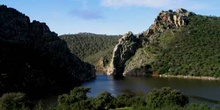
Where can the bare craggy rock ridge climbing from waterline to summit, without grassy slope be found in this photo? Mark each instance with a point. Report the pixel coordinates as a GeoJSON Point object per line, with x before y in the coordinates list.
{"type": "Point", "coordinates": [129, 43]}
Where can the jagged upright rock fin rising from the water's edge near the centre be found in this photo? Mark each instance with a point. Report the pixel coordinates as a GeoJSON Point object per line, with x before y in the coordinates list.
{"type": "Point", "coordinates": [123, 51]}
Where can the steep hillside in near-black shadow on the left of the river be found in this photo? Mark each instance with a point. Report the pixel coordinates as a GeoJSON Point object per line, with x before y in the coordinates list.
{"type": "Point", "coordinates": [34, 59]}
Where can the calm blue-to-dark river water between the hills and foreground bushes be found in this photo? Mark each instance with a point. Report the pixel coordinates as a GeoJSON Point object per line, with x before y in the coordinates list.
{"type": "Point", "coordinates": [198, 90]}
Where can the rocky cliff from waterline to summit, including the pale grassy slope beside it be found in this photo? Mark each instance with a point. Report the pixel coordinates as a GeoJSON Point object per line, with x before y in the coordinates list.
{"type": "Point", "coordinates": [130, 56]}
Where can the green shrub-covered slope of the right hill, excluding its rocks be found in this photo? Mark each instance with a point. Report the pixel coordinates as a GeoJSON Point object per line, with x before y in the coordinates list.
{"type": "Point", "coordinates": [190, 50]}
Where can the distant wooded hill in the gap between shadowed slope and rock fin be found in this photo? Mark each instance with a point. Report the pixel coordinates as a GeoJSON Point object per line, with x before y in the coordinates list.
{"type": "Point", "coordinates": [93, 48]}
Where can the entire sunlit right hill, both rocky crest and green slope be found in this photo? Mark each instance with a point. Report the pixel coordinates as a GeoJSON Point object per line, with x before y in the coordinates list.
{"type": "Point", "coordinates": [177, 43]}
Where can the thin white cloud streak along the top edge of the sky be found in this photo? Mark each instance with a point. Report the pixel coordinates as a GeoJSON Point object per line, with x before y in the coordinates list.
{"type": "Point", "coordinates": [164, 4]}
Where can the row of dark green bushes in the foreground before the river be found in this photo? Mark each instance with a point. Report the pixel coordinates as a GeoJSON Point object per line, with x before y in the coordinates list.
{"type": "Point", "coordinates": [157, 99]}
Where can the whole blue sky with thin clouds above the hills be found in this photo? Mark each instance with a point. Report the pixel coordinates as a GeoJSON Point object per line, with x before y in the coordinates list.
{"type": "Point", "coordinates": [105, 16]}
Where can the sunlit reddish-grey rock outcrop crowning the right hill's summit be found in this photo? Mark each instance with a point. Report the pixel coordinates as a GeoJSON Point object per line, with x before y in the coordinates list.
{"type": "Point", "coordinates": [167, 20]}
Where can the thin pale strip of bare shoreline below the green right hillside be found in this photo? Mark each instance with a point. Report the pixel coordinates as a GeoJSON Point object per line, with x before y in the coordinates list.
{"type": "Point", "coordinates": [188, 77]}
